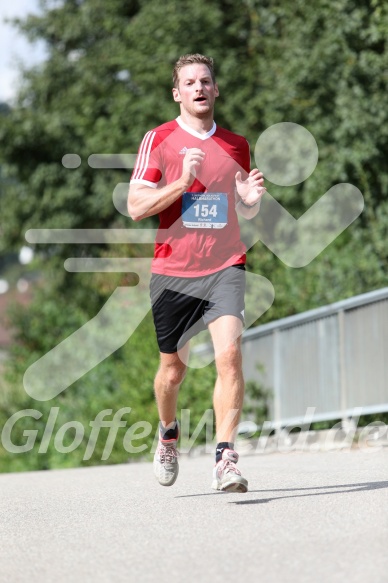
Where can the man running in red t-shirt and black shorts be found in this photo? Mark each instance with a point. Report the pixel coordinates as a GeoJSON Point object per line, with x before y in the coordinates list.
{"type": "Point", "coordinates": [196, 176]}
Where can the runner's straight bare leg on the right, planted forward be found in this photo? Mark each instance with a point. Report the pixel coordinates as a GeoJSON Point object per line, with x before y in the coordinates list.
{"type": "Point", "coordinates": [229, 388]}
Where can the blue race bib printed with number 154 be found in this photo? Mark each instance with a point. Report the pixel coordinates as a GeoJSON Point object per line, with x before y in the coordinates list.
{"type": "Point", "coordinates": [205, 210]}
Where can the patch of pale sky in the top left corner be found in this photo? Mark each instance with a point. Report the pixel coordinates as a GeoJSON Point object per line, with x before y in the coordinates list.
{"type": "Point", "coordinates": [14, 46]}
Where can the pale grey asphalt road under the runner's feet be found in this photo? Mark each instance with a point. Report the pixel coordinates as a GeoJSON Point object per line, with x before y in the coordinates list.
{"type": "Point", "coordinates": [308, 517]}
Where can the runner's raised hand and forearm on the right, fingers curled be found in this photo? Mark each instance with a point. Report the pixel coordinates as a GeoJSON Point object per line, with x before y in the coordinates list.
{"type": "Point", "coordinates": [249, 193]}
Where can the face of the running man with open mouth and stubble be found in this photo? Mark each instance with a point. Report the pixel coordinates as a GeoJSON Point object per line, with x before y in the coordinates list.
{"type": "Point", "coordinates": [196, 91]}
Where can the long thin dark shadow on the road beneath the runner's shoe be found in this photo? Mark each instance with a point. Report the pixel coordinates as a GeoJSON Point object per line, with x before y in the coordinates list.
{"type": "Point", "coordinates": [329, 490]}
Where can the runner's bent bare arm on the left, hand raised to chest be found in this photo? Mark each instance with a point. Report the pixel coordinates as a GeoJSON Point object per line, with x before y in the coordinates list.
{"type": "Point", "coordinates": [145, 201]}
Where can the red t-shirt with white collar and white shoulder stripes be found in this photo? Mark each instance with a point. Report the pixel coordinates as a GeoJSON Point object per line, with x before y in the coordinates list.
{"type": "Point", "coordinates": [199, 233]}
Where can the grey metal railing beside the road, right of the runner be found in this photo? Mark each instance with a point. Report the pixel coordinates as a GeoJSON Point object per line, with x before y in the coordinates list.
{"type": "Point", "coordinates": [330, 361]}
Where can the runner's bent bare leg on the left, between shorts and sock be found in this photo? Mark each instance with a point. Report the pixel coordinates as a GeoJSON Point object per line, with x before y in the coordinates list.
{"type": "Point", "coordinates": [167, 382]}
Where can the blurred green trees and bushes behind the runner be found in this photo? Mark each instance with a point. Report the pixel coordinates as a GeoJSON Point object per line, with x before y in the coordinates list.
{"type": "Point", "coordinates": [105, 82]}
